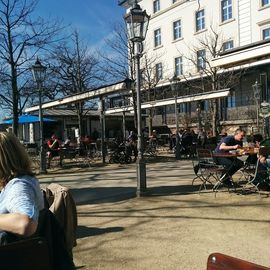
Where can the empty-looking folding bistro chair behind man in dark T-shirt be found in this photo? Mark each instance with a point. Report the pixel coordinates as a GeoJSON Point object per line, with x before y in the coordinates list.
{"type": "Point", "coordinates": [206, 169]}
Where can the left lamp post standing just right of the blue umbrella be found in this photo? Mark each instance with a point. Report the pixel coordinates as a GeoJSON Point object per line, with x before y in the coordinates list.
{"type": "Point", "coordinates": [39, 72]}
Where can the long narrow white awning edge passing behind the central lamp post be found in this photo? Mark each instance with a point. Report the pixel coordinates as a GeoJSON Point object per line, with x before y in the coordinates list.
{"type": "Point", "coordinates": [170, 101]}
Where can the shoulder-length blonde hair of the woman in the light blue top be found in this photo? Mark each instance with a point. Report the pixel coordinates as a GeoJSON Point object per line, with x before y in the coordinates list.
{"type": "Point", "coordinates": [14, 160]}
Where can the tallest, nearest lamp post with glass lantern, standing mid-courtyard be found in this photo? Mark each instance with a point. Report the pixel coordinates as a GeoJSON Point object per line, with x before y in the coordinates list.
{"type": "Point", "coordinates": [137, 23]}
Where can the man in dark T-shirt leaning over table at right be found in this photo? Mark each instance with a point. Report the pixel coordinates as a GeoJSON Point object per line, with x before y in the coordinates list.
{"type": "Point", "coordinates": [231, 164]}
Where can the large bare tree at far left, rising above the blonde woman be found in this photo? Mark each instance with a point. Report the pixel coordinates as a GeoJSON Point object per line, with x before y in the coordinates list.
{"type": "Point", "coordinates": [21, 37]}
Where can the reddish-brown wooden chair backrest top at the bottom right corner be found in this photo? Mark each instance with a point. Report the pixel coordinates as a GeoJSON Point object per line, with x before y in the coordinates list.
{"type": "Point", "coordinates": [218, 261]}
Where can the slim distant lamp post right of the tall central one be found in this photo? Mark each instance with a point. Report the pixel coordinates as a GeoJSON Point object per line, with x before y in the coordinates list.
{"type": "Point", "coordinates": [174, 87]}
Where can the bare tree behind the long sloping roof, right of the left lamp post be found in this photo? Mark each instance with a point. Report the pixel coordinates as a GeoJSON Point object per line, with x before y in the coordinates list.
{"type": "Point", "coordinates": [75, 70]}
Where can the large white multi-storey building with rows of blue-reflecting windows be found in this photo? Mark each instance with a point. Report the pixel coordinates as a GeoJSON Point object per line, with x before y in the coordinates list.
{"type": "Point", "coordinates": [176, 33]}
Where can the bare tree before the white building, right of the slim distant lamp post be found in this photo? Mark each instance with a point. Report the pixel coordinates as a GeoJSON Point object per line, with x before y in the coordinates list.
{"type": "Point", "coordinates": [209, 46]}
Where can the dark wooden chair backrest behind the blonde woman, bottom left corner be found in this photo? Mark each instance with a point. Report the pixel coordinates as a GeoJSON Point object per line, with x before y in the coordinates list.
{"type": "Point", "coordinates": [28, 254]}
